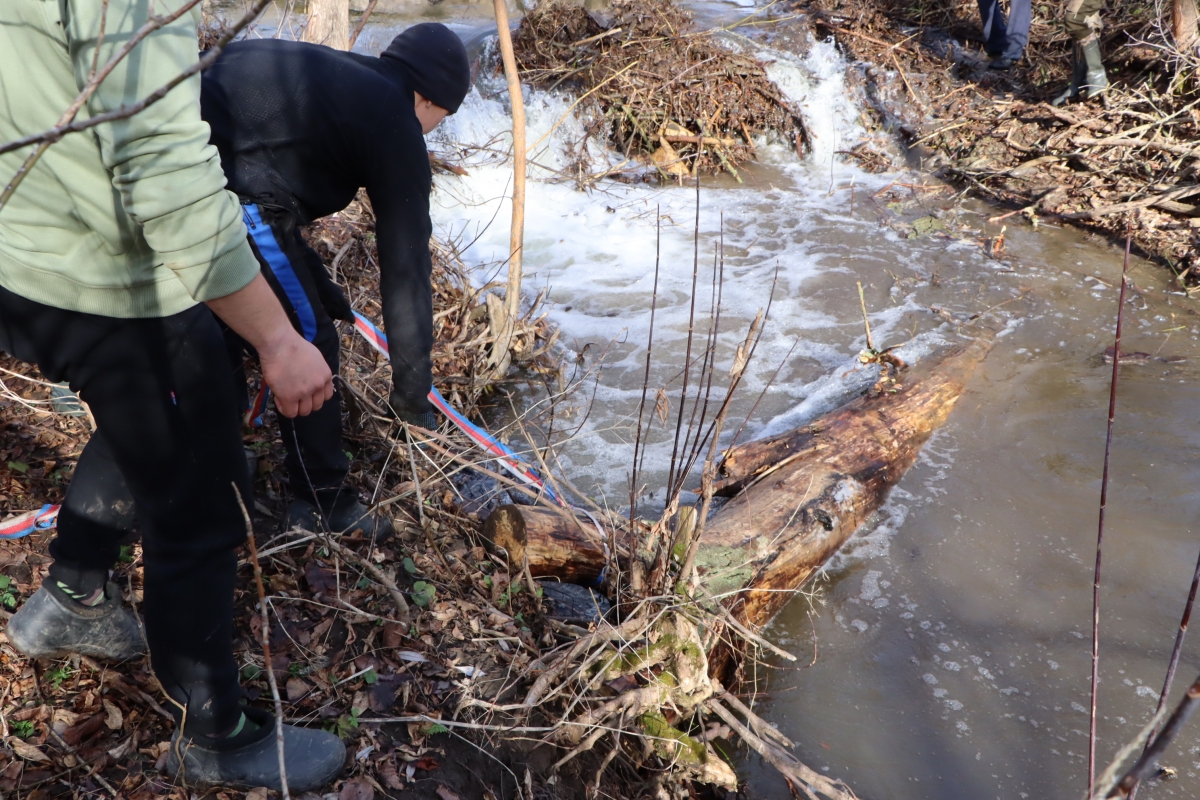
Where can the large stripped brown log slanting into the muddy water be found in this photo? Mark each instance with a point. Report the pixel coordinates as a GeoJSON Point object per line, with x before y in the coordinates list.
{"type": "Point", "coordinates": [811, 490]}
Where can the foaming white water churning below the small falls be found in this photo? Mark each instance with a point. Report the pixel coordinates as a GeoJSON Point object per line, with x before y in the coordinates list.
{"type": "Point", "coordinates": [596, 254]}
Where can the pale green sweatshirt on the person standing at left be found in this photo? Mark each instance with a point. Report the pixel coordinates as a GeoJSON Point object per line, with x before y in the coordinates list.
{"type": "Point", "coordinates": [130, 219]}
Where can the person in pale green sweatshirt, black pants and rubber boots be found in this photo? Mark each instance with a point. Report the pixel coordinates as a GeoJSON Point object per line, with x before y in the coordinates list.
{"type": "Point", "coordinates": [116, 254]}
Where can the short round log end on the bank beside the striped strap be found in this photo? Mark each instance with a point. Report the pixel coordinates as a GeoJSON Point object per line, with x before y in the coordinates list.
{"type": "Point", "coordinates": [560, 544]}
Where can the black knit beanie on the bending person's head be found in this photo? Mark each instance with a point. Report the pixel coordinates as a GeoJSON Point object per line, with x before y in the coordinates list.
{"type": "Point", "coordinates": [436, 62]}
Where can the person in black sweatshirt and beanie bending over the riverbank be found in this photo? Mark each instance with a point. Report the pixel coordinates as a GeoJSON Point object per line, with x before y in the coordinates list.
{"type": "Point", "coordinates": [302, 129]}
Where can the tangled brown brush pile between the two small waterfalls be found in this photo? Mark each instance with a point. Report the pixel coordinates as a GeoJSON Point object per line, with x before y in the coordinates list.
{"type": "Point", "coordinates": [665, 91]}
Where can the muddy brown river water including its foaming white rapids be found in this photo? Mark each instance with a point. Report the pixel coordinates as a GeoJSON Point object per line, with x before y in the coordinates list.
{"type": "Point", "coordinates": [952, 635]}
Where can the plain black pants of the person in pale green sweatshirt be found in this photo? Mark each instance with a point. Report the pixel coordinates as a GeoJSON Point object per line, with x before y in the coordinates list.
{"type": "Point", "coordinates": [169, 444]}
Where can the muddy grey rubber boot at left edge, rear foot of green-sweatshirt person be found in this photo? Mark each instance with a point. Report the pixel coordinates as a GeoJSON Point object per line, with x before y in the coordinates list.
{"type": "Point", "coordinates": [52, 625]}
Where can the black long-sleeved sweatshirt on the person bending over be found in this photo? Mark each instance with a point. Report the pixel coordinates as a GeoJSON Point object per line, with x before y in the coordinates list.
{"type": "Point", "coordinates": [304, 128]}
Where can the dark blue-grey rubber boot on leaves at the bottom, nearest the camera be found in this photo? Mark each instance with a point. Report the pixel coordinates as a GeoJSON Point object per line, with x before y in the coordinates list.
{"type": "Point", "coordinates": [313, 759]}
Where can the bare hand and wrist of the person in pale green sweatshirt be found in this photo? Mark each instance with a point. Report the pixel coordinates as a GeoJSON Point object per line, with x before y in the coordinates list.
{"type": "Point", "coordinates": [292, 368]}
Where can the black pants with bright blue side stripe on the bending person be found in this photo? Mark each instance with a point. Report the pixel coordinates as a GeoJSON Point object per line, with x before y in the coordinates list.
{"type": "Point", "coordinates": [316, 460]}
